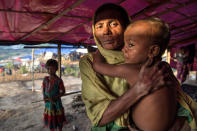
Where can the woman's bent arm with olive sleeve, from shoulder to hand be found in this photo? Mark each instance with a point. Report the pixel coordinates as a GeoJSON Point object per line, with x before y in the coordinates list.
{"type": "Point", "coordinates": [103, 110]}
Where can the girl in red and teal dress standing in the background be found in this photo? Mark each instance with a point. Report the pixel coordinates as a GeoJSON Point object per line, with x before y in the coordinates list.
{"type": "Point", "coordinates": [53, 89]}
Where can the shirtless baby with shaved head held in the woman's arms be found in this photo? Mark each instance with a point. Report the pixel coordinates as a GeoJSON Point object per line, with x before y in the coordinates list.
{"type": "Point", "coordinates": [145, 41]}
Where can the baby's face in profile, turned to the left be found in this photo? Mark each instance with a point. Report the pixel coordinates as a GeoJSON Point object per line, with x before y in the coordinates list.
{"type": "Point", "coordinates": [137, 43]}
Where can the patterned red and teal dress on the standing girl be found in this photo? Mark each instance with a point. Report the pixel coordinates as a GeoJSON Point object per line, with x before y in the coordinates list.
{"type": "Point", "coordinates": [54, 112]}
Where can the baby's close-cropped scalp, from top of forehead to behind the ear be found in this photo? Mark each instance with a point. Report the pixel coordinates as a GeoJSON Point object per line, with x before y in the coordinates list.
{"type": "Point", "coordinates": [158, 34]}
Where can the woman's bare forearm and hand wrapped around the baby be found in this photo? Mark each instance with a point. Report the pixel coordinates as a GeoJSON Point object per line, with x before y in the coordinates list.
{"type": "Point", "coordinates": [149, 78]}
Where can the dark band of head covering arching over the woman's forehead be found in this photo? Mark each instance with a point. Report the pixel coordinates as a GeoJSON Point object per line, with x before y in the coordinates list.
{"type": "Point", "coordinates": [110, 6]}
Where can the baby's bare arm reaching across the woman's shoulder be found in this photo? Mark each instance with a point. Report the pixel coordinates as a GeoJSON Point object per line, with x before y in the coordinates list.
{"type": "Point", "coordinates": [122, 70]}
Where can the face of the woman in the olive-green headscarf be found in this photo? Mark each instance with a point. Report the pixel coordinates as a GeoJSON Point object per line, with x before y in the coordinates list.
{"type": "Point", "coordinates": [109, 29]}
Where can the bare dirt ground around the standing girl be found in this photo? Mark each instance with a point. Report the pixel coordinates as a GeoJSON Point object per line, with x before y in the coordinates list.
{"type": "Point", "coordinates": [19, 113]}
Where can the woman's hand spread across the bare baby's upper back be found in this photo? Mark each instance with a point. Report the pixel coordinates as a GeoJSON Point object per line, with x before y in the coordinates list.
{"type": "Point", "coordinates": [156, 76]}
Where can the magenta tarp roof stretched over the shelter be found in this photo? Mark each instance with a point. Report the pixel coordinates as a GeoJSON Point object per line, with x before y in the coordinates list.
{"type": "Point", "coordinates": [69, 21]}
